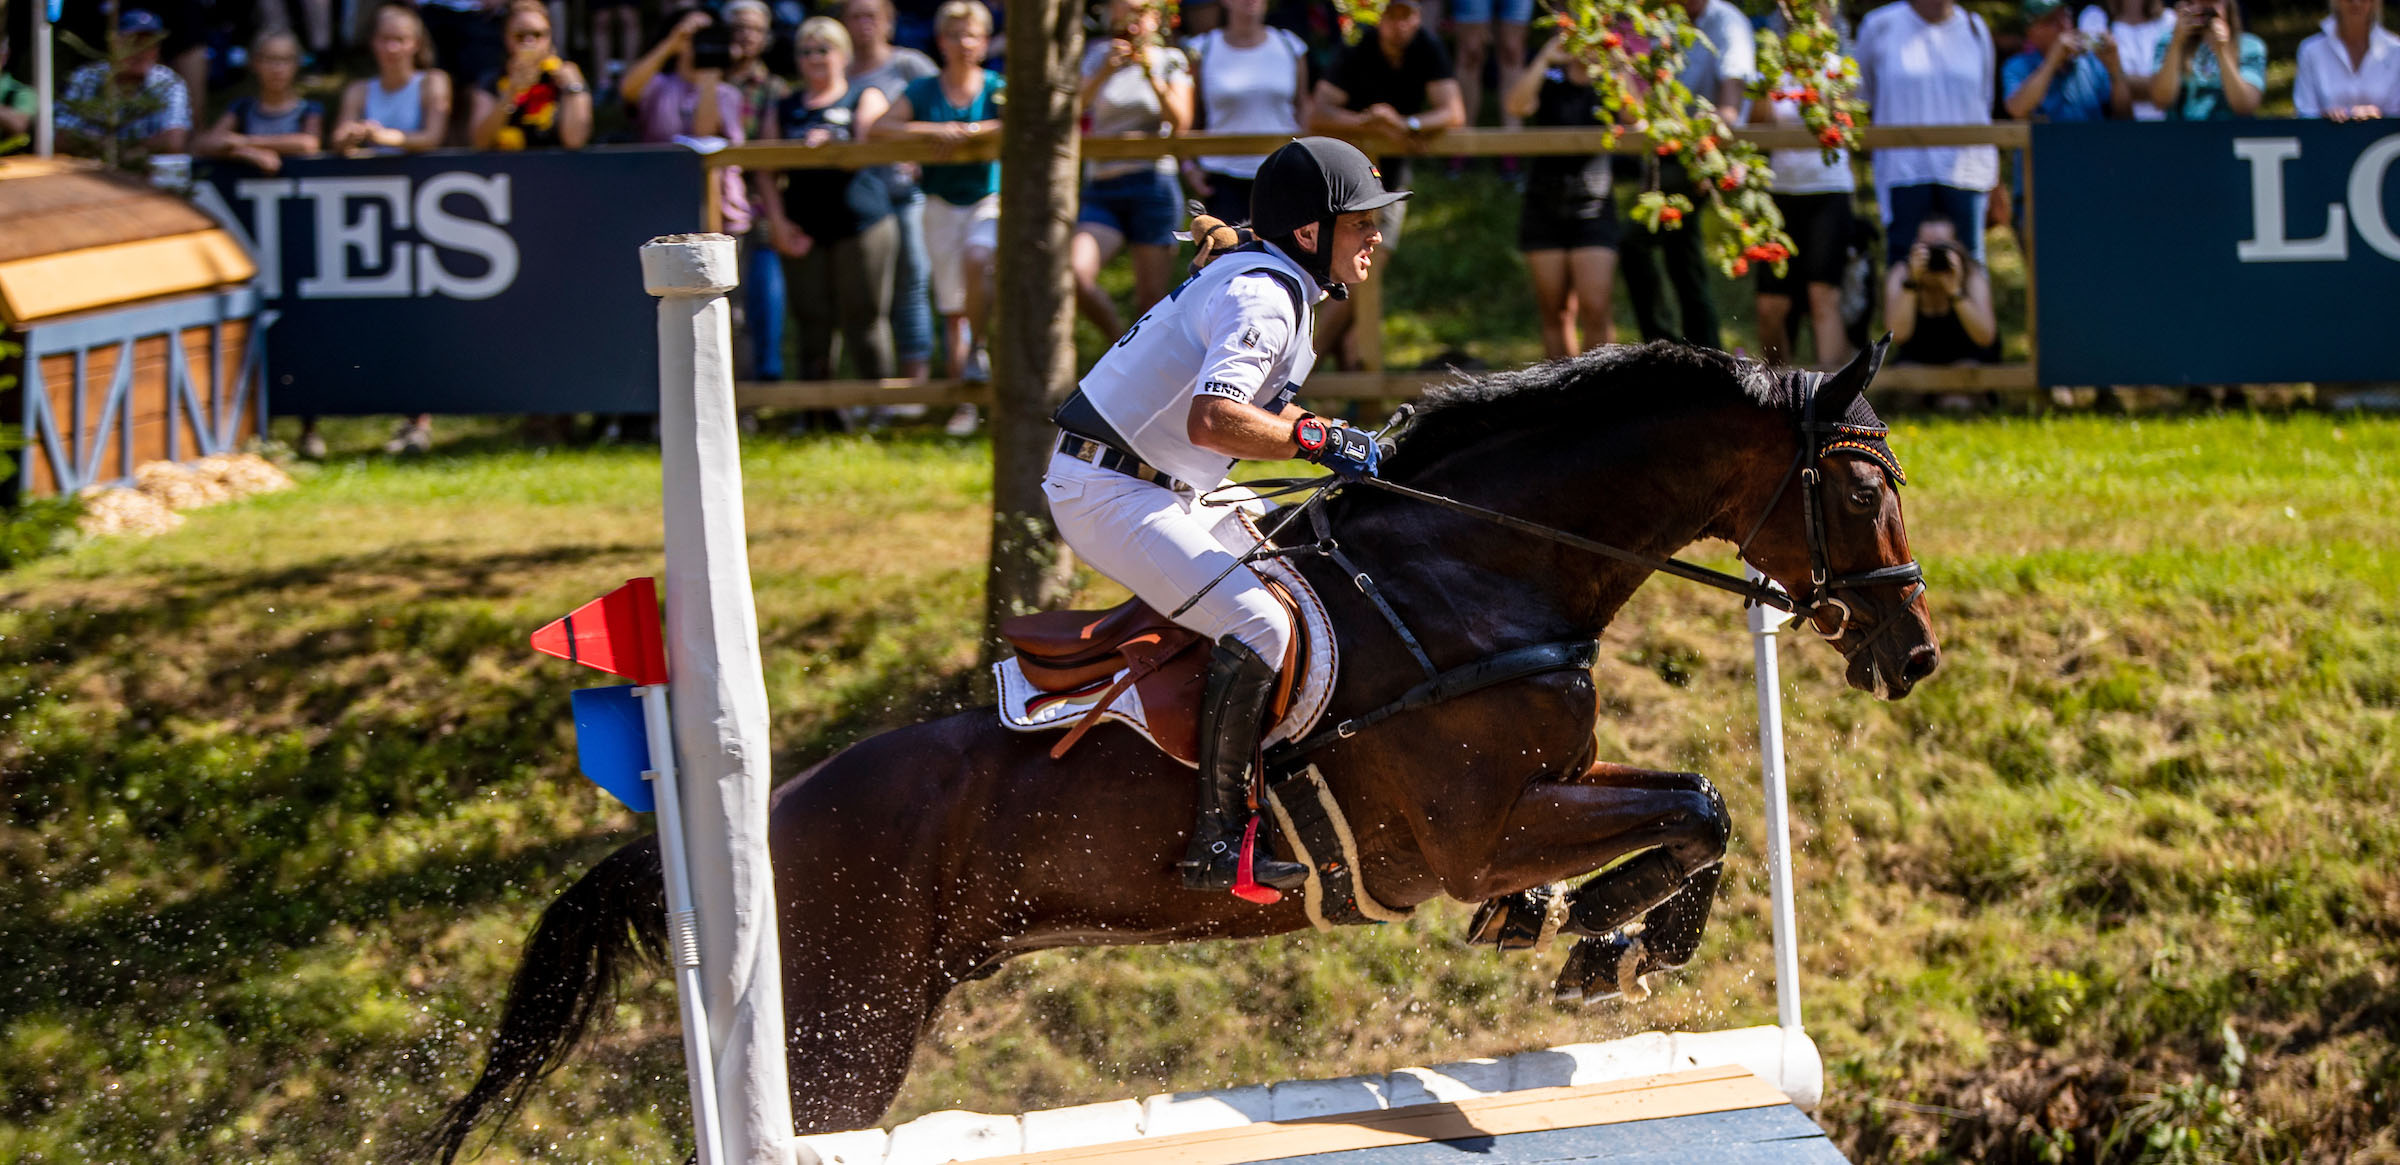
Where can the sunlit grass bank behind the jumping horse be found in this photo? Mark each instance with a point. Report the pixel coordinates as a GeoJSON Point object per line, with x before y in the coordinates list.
{"type": "Point", "coordinates": [282, 794]}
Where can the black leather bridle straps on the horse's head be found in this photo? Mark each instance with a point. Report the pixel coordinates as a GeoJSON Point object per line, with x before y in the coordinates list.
{"type": "Point", "coordinates": [1818, 443]}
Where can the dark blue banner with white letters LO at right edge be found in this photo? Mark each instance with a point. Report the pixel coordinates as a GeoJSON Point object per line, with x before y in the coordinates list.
{"type": "Point", "coordinates": [2216, 253]}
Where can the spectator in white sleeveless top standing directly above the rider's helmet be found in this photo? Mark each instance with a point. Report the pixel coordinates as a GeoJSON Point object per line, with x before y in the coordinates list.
{"type": "Point", "coordinates": [1254, 80]}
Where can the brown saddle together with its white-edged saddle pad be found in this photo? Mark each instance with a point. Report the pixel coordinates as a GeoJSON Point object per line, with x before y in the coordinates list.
{"type": "Point", "coordinates": [1132, 664]}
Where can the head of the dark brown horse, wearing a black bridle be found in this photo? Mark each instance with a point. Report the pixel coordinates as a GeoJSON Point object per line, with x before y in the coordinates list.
{"type": "Point", "coordinates": [1830, 532]}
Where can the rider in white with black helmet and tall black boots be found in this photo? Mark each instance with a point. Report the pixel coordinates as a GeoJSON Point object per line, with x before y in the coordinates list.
{"type": "Point", "coordinates": [1204, 381]}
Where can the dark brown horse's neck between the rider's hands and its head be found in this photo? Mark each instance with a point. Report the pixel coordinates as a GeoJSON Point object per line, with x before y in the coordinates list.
{"type": "Point", "coordinates": [1650, 489]}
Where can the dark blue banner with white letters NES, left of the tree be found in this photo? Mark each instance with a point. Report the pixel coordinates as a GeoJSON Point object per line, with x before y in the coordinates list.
{"type": "Point", "coordinates": [460, 282]}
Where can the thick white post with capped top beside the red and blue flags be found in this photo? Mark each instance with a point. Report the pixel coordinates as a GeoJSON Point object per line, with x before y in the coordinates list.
{"type": "Point", "coordinates": [721, 734]}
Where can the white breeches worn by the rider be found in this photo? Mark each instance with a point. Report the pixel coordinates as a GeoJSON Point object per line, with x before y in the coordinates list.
{"type": "Point", "coordinates": [1165, 546]}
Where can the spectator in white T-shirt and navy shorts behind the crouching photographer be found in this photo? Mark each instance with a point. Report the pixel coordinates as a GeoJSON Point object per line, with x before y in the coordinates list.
{"type": "Point", "coordinates": [1931, 64]}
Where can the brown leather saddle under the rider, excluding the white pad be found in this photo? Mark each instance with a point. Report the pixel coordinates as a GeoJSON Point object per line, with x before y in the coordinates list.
{"type": "Point", "coordinates": [1132, 645]}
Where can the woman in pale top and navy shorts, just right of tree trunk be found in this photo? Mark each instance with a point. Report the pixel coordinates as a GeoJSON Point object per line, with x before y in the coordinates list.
{"type": "Point", "coordinates": [1132, 85]}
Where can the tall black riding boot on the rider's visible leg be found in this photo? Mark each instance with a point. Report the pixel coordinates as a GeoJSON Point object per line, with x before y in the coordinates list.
{"type": "Point", "coordinates": [1232, 717]}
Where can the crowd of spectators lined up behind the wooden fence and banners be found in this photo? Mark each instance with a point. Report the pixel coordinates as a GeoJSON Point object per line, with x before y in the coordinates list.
{"type": "Point", "coordinates": [880, 273]}
